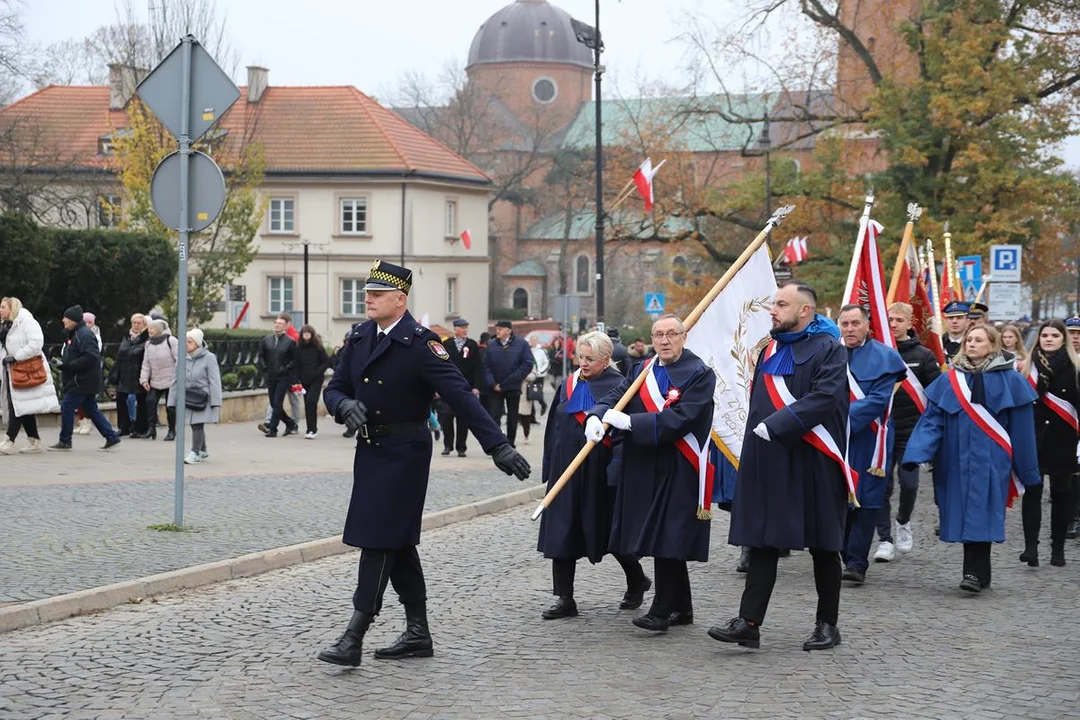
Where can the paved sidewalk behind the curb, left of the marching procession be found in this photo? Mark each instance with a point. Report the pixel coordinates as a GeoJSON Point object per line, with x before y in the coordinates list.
{"type": "Point", "coordinates": [90, 526]}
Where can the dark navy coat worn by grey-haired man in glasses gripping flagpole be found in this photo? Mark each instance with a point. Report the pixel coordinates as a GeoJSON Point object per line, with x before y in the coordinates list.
{"type": "Point", "coordinates": [656, 507]}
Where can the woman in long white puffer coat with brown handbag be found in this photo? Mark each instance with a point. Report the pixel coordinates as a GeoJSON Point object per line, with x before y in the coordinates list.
{"type": "Point", "coordinates": [29, 388]}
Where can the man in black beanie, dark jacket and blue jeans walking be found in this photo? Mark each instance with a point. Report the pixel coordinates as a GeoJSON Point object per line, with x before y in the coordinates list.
{"type": "Point", "coordinates": [80, 369]}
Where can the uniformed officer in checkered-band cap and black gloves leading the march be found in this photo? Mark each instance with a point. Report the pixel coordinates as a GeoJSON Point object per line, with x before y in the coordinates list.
{"type": "Point", "coordinates": [390, 370]}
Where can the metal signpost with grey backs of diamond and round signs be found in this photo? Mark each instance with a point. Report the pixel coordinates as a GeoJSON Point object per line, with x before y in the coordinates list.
{"type": "Point", "coordinates": [188, 93]}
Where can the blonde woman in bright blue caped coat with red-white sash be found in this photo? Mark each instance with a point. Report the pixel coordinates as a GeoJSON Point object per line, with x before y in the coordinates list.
{"type": "Point", "coordinates": [977, 411]}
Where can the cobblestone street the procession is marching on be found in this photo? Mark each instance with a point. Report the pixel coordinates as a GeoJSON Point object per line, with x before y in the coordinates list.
{"type": "Point", "coordinates": [914, 646]}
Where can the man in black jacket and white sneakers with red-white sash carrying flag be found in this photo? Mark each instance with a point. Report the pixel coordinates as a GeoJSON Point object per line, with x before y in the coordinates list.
{"type": "Point", "coordinates": [923, 370]}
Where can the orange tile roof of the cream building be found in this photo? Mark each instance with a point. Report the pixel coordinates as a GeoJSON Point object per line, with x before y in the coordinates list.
{"type": "Point", "coordinates": [302, 130]}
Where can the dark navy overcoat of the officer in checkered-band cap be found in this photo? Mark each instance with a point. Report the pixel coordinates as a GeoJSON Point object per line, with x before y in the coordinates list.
{"type": "Point", "coordinates": [397, 383]}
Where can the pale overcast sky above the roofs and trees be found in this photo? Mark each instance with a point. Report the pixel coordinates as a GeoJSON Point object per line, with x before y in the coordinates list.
{"type": "Point", "coordinates": [373, 44]}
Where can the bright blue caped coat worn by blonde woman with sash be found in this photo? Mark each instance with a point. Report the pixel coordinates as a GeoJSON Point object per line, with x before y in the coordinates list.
{"type": "Point", "coordinates": [971, 471]}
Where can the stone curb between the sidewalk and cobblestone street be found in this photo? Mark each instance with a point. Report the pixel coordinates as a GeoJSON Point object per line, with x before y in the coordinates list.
{"type": "Point", "coordinates": [96, 600]}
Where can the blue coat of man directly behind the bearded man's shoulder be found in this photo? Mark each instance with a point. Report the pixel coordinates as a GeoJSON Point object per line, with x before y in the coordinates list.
{"type": "Point", "coordinates": [877, 369]}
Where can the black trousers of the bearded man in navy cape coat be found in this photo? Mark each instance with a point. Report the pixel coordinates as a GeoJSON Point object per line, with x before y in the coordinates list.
{"type": "Point", "coordinates": [762, 578]}
